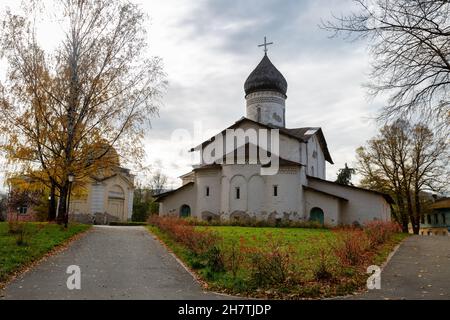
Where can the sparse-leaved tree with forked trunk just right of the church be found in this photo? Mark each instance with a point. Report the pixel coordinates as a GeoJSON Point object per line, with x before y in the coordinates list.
{"type": "Point", "coordinates": [404, 161]}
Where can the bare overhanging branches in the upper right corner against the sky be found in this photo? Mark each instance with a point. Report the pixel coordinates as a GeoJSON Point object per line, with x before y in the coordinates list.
{"type": "Point", "coordinates": [410, 46]}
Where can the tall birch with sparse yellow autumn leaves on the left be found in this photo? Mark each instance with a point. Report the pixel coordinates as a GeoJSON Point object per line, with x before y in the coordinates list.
{"type": "Point", "coordinates": [67, 111]}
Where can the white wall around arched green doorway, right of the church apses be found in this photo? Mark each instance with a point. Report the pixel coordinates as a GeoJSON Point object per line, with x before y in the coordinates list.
{"type": "Point", "coordinates": [329, 205]}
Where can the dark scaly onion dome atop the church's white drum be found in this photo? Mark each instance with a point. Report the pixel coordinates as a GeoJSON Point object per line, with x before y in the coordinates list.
{"type": "Point", "coordinates": [266, 78]}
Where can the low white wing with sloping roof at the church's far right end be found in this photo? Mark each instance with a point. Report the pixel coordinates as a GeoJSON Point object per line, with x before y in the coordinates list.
{"type": "Point", "coordinates": [362, 206]}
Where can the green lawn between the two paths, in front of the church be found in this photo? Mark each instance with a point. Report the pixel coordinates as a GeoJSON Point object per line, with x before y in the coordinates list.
{"type": "Point", "coordinates": [307, 247]}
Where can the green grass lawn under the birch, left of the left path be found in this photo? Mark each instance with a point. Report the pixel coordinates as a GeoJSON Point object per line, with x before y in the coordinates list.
{"type": "Point", "coordinates": [39, 239]}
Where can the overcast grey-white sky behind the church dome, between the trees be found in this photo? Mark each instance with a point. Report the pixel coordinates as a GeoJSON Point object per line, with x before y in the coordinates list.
{"type": "Point", "coordinates": [210, 47]}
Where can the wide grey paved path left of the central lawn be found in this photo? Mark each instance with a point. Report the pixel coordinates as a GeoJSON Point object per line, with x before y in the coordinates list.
{"type": "Point", "coordinates": [116, 263]}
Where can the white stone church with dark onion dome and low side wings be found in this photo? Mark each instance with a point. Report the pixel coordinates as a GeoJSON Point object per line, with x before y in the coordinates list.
{"type": "Point", "coordinates": [298, 191]}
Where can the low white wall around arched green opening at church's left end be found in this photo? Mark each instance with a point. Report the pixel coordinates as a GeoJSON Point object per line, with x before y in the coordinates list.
{"type": "Point", "coordinates": [171, 205]}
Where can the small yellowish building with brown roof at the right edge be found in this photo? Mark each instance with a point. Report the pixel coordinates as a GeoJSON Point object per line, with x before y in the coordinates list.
{"type": "Point", "coordinates": [437, 222]}
